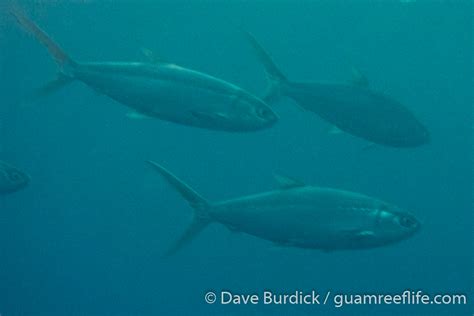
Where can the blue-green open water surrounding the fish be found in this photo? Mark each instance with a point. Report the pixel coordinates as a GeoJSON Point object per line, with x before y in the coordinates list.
{"type": "Point", "coordinates": [87, 236]}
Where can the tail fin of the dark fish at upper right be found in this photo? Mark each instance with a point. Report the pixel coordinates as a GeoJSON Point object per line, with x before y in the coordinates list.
{"type": "Point", "coordinates": [275, 77]}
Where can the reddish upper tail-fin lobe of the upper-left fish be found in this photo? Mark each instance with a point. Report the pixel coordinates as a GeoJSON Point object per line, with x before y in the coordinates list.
{"type": "Point", "coordinates": [61, 58]}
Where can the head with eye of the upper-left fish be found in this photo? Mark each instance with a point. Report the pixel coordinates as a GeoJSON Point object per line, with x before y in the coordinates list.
{"type": "Point", "coordinates": [250, 113]}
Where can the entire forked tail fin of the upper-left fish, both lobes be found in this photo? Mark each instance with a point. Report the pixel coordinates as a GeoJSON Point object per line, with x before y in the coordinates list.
{"type": "Point", "coordinates": [65, 63]}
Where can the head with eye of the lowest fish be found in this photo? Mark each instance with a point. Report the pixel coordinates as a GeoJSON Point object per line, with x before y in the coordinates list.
{"type": "Point", "coordinates": [394, 224]}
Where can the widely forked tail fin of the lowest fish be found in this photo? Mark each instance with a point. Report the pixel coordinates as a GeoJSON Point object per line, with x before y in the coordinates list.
{"type": "Point", "coordinates": [200, 205]}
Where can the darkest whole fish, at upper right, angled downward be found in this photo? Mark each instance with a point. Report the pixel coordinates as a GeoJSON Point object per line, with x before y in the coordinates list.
{"type": "Point", "coordinates": [351, 107]}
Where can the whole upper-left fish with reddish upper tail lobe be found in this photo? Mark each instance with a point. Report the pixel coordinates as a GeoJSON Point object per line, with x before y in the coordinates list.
{"type": "Point", "coordinates": [164, 91]}
